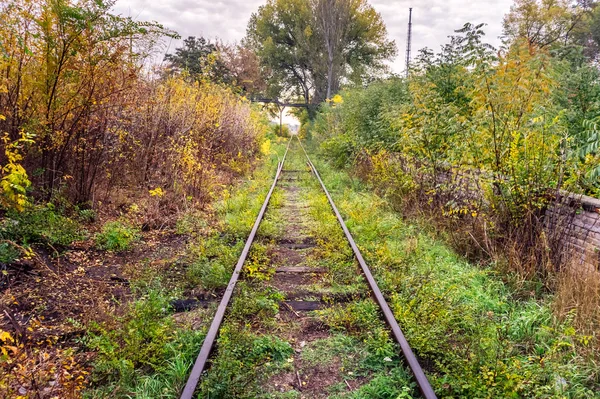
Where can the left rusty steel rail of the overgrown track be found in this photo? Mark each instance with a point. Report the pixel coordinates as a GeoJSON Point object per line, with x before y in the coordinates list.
{"type": "Point", "coordinates": [209, 340]}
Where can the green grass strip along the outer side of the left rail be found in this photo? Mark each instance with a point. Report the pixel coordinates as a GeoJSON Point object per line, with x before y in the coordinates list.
{"type": "Point", "coordinates": [146, 352]}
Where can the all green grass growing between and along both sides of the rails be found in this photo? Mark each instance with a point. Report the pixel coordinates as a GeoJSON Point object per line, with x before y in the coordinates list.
{"type": "Point", "coordinates": [474, 338]}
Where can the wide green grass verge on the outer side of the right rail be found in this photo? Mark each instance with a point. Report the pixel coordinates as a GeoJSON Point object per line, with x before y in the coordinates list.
{"type": "Point", "coordinates": [473, 337]}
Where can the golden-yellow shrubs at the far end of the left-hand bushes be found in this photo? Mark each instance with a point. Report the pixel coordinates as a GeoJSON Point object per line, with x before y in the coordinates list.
{"type": "Point", "coordinates": [204, 132]}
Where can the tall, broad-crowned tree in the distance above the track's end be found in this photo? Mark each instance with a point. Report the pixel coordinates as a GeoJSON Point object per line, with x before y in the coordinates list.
{"type": "Point", "coordinates": [311, 48]}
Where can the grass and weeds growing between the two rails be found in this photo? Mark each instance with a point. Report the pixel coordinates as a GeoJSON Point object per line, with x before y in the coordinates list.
{"type": "Point", "coordinates": [360, 349]}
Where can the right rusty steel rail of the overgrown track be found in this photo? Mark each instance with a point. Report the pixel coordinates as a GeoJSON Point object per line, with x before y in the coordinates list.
{"type": "Point", "coordinates": [411, 359]}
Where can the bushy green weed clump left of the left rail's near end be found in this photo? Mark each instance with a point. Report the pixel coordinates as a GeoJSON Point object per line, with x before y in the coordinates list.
{"type": "Point", "coordinates": [144, 352]}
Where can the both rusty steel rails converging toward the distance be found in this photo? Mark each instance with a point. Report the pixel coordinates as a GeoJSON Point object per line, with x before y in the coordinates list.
{"type": "Point", "coordinates": [207, 346]}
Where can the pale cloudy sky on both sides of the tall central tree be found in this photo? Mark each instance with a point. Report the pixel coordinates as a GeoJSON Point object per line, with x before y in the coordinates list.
{"type": "Point", "coordinates": [433, 20]}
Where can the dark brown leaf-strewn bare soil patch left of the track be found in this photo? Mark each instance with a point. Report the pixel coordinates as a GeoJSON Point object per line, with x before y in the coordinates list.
{"type": "Point", "coordinates": [81, 284]}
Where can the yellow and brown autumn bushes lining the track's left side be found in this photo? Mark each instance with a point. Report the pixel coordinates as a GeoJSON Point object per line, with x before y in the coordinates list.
{"type": "Point", "coordinates": [73, 76]}
